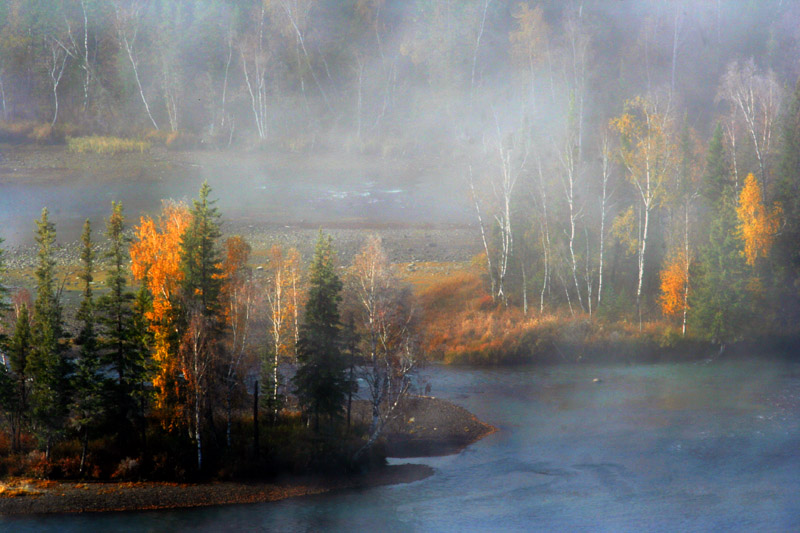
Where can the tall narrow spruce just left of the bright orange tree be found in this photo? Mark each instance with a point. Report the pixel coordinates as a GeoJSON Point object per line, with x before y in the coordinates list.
{"type": "Point", "coordinates": [116, 315]}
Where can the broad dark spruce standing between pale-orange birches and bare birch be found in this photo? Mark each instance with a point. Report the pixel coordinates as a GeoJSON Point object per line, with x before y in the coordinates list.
{"type": "Point", "coordinates": [321, 380]}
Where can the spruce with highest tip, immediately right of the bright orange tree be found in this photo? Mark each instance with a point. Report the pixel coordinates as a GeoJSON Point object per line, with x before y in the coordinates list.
{"type": "Point", "coordinates": [201, 256]}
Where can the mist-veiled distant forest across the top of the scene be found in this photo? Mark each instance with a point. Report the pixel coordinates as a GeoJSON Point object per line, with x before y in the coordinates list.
{"type": "Point", "coordinates": [365, 71]}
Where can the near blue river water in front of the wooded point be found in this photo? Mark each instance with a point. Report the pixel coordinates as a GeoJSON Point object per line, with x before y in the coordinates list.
{"type": "Point", "coordinates": [670, 447]}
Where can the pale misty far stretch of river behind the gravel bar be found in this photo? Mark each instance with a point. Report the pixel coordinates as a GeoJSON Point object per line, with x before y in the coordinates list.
{"type": "Point", "coordinates": [276, 195]}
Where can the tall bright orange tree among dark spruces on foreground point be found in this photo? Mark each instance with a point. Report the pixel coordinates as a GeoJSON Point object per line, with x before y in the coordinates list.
{"type": "Point", "coordinates": [155, 261]}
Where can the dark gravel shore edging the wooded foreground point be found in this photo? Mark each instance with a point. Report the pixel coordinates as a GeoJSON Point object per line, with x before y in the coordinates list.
{"type": "Point", "coordinates": [432, 427]}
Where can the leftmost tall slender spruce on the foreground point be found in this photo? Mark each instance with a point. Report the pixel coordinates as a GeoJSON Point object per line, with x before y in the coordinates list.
{"type": "Point", "coordinates": [46, 364]}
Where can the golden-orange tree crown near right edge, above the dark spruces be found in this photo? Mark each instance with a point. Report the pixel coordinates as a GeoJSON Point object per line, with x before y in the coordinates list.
{"type": "Point", "coordinates": [757, 226]}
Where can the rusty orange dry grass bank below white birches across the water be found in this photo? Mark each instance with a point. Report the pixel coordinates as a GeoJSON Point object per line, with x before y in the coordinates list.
{"type": "Point", "coordinates": [464, 325]}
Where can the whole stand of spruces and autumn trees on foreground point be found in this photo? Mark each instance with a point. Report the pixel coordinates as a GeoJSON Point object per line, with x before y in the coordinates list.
{"type": "Point", "coordinates": [166, 357]}
